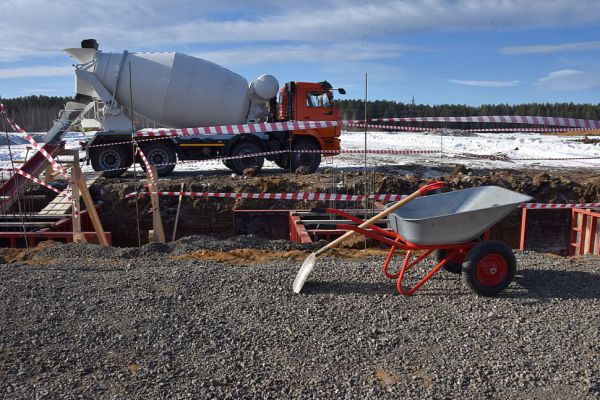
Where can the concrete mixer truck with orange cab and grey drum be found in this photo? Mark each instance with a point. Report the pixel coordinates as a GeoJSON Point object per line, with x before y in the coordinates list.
{"type": "Point", "coordinates": [175, 90]}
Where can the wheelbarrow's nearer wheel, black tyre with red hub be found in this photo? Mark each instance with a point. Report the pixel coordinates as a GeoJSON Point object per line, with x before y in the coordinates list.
{"type": "Point", "coordinates": [489, 268]}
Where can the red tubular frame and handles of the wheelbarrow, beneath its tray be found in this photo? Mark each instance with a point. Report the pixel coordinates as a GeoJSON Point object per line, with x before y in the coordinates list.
{"type": "Point", "coordinates": [453, 252]}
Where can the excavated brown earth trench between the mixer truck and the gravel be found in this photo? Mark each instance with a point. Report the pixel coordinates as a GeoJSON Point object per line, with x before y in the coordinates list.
{"type": "Point", "coordinates": [215, 216]}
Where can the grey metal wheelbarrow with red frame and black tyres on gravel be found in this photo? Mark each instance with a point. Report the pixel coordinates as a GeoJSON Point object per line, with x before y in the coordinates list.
{"type": "Point", "coordinates": [453, 227]}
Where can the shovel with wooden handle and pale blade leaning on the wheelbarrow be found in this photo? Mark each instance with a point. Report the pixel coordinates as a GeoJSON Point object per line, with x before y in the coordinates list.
{"type": "Point", "coordinates": [310, 261]}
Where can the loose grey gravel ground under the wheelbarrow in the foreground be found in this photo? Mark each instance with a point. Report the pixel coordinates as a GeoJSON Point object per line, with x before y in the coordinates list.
{"type": "Point", "coordinates": [84, 321]}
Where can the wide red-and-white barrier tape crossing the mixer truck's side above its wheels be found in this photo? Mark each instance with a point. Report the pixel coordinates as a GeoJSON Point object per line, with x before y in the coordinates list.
{"type": "Point", "coordinates": [237, 129]}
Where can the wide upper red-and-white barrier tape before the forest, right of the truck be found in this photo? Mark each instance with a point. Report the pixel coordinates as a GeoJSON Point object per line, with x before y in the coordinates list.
{"type": "Point", "coordinates": [504, 119]}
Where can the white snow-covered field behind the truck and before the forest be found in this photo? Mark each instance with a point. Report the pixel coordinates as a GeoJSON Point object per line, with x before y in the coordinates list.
{"type": "Point", "coordinates": [519, 147]}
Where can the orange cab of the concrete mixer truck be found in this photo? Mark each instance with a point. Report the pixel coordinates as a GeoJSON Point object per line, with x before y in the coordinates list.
{"type": "Point", "coordinates": [309, 101]}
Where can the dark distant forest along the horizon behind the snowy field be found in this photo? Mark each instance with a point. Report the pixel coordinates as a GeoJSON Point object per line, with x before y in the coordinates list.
{"type": "Point", "coordinates": [36, 113]}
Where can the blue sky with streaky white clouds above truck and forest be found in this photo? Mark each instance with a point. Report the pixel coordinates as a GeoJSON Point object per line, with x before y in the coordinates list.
{"type": "Point", "coordinates": [439, 51]}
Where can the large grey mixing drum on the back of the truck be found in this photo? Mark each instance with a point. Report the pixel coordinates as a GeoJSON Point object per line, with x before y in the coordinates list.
{"type": "Point", "coordinates": [172, 89]}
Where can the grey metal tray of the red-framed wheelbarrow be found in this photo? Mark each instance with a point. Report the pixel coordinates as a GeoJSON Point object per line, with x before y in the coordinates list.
{"type": "Point", "coordinates": [454, 217]}
